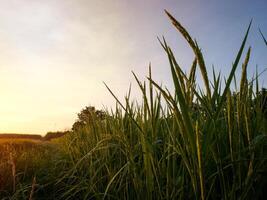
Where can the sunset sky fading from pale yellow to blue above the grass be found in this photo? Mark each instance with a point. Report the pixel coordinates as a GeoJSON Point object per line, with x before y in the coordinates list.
{"type": "Point", "coordinates": [56, 54]}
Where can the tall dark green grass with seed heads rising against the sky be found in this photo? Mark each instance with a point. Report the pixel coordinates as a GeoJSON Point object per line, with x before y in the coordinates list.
{"type": "Point", "coordinates": [186, 144]}
